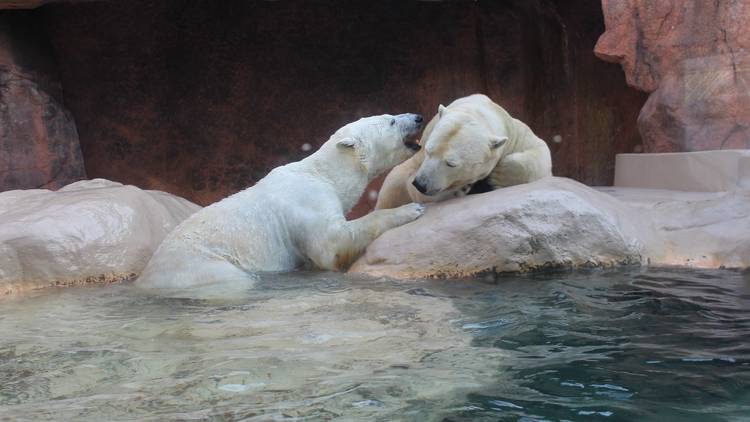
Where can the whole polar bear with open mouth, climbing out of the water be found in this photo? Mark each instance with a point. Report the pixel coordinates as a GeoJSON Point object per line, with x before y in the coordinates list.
{"type": "Point", "coordinates": [293, 217]}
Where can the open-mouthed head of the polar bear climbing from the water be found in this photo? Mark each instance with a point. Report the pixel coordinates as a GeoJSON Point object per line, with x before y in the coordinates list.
{"type": "Point", "coordinates": [380, 142]}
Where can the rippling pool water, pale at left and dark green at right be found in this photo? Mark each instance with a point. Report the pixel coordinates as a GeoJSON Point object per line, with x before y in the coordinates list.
{"type": "Point", "coordinates": [625, 345]}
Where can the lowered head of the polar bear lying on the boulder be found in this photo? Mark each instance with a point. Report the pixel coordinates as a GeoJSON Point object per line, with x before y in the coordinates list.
{"type": "Point", "coordinates": [459, 151]}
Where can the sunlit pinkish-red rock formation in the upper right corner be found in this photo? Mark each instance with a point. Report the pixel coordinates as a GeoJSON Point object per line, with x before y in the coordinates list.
{"type": "Point", "coordinates": [693, 56]}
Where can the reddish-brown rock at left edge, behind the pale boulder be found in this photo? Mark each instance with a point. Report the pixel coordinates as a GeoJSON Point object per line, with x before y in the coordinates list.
{"type": "Point", "coordinates": [38, 138]}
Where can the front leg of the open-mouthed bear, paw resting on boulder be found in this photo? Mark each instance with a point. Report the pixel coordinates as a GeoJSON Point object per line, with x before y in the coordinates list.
{"type": "Point", "coordinates": [344, 243]}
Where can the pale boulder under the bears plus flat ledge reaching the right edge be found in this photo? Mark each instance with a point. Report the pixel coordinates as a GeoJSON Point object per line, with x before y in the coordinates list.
{"type": "Point", "coordinates": [560, 223]}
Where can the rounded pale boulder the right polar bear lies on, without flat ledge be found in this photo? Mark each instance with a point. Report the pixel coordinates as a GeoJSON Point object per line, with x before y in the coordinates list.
{"type": "Point", "coordinates": [551, 223]}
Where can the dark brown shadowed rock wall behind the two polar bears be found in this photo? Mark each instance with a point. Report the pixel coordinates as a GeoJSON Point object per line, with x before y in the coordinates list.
{"type": "Point", "coordinates": [202, 101]}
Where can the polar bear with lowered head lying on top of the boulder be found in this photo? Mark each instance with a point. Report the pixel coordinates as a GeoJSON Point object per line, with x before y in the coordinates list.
{"type": "Point", "coordinates": [471, 140]}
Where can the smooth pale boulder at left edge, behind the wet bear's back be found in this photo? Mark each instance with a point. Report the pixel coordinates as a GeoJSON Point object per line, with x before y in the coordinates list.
{"type": "Point", "coordinates": [88, 231]}
